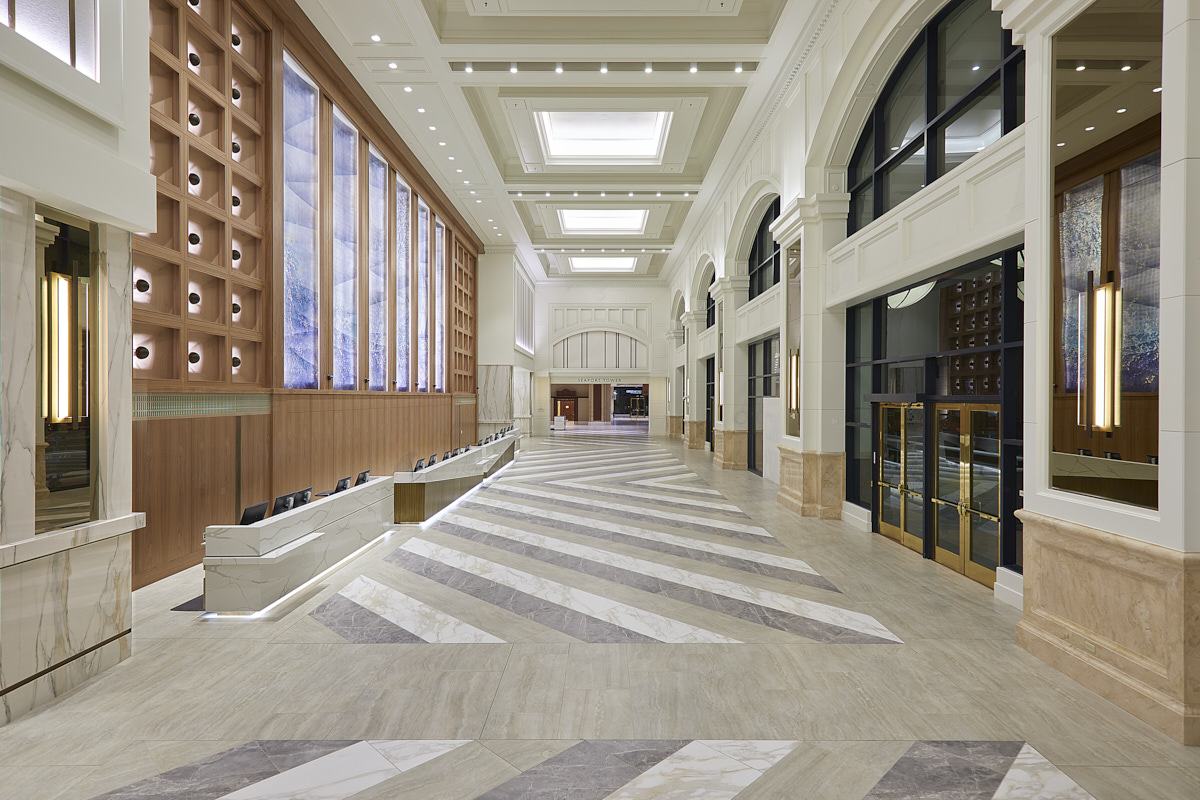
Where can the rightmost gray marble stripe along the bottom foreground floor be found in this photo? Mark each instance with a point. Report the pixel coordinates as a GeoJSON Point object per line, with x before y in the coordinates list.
{"type": "Point", "coordinates": [947, 771]}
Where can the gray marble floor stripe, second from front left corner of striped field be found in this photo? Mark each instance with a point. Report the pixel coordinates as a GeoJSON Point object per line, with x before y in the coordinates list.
{"type": "Point", "coordinates": [566, 621]}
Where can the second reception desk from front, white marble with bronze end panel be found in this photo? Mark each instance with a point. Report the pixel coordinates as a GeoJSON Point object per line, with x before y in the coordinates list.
{"type": "Point", "coordinates": [422, 495]}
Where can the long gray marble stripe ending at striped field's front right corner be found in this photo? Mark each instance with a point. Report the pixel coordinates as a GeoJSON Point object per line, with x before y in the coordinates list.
{"type": "Point", "coordinates": [746, 611]}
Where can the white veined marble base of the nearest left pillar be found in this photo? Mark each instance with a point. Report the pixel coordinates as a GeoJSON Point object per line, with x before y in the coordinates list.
{"type": "Point", "coordinates": [57, 607]}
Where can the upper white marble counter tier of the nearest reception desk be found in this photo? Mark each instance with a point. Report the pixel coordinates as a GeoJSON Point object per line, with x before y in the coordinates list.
{"type": "Point", "coordinates": [275, 532]}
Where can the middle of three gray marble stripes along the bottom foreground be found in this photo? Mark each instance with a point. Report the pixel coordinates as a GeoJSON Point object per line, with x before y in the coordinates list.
{"type": "Point", "coordinates": [591, 771]}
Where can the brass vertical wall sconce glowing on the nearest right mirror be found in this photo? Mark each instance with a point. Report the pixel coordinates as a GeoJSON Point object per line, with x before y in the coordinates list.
{"type": "Point", "coordinates": [1101, 408]}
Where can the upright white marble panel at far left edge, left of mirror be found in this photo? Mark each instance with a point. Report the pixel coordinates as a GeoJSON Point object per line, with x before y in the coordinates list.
{"type": "Point", "coordinates": [20, 414]}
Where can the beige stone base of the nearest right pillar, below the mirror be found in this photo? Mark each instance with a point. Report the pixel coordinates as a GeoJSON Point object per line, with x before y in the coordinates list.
{"type": "Point", "coordinates": [1119, 616]}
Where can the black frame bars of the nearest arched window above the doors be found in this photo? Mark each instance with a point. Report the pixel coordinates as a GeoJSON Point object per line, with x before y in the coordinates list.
{"type": "Point", "coordinates": [871, 184]}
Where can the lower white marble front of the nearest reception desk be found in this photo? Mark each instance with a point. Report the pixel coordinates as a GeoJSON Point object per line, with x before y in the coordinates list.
{"type": "Point", "coordinates": [248, 585]}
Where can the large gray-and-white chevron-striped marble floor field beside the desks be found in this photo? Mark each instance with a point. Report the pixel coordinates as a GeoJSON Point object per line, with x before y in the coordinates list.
{"type": "Point", "coordinates": [604, 539]}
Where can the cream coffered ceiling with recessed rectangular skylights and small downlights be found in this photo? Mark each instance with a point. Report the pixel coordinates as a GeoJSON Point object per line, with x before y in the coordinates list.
{"type": "Point", "coordinates": [590, 136]}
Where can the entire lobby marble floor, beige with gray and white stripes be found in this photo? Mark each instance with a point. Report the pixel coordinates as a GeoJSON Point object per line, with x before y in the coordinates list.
{"type": "Point", "coordinates": [611, 618]}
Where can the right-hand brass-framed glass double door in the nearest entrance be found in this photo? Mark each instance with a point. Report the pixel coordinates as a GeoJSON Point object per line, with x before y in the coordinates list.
{"type": "Point", "coordinates": [967, 501]}
